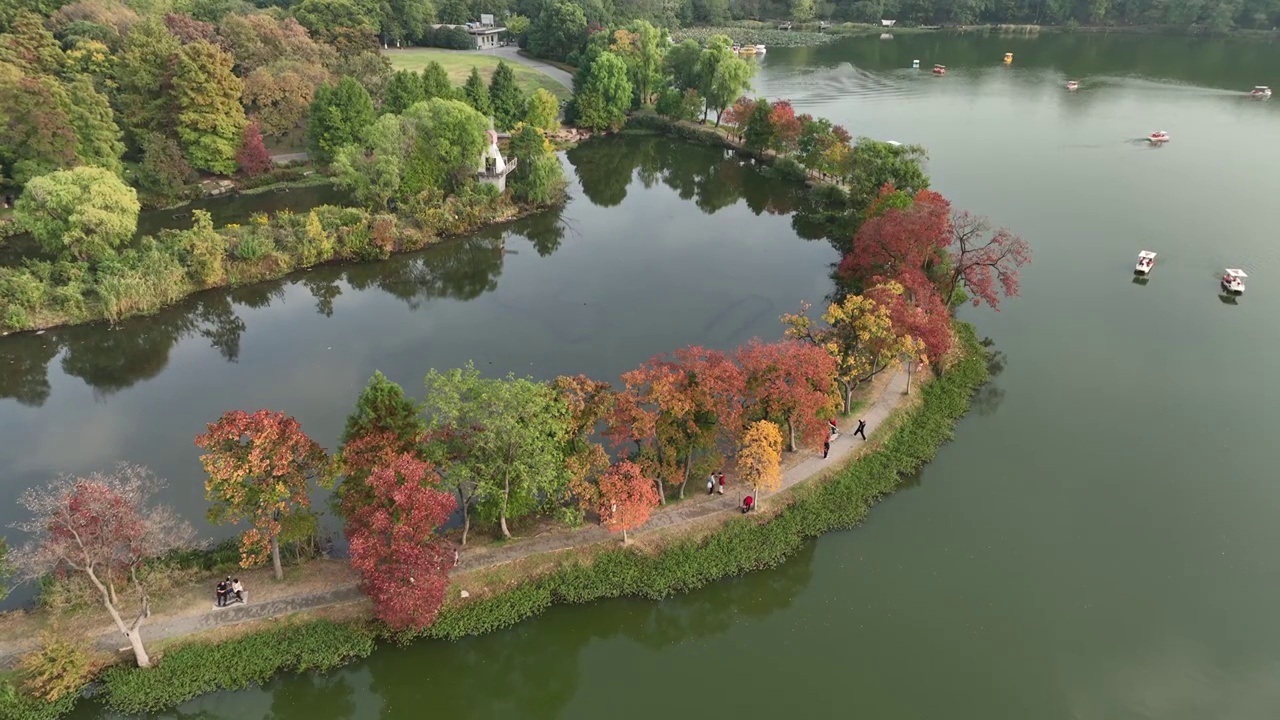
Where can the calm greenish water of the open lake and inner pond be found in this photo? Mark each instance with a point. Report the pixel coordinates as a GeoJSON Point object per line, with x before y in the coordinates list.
{"type": "Point", "coordinates": [1098, 544]}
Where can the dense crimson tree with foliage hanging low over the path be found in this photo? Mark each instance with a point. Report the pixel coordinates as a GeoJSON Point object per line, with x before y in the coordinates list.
{"type": "Point", "coordinates": [404, 564]}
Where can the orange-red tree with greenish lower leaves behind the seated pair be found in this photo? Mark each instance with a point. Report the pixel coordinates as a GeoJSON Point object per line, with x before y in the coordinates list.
{"type": "Point", "coordinates": [260, 466]}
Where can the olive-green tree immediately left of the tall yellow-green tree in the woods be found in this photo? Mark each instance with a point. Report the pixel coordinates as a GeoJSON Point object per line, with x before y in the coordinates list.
{"type": "Point", "coordinates": [143, 76]}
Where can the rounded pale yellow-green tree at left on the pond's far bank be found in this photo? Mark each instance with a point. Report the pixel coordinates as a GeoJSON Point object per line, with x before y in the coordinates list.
{"type": "Point", "coordinates": [84, 213]}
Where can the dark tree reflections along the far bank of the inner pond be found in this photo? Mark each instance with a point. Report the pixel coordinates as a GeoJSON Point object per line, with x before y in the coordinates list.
{"type": "Point", "coordinates": [111, 358]}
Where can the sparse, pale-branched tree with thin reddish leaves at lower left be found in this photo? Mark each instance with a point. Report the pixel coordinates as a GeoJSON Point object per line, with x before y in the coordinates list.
{"type": "Point", "coordinates": [104, 527]}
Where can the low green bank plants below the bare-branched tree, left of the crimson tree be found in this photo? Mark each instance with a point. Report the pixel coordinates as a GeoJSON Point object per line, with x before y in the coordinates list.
{"type": "Point", "coordinates": [199, 669]}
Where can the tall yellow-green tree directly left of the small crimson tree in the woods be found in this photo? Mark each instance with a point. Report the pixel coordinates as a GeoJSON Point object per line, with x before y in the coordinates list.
{"type": "Point", "coordinates": [211, 117]}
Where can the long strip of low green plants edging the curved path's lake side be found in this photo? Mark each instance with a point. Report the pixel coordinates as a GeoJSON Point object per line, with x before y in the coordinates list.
{"type": "Point", "coordinates": [683, 562]}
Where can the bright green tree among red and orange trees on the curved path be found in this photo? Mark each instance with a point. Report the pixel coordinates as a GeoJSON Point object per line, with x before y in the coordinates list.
{"type": "Point", "coordinates": [509, 443]}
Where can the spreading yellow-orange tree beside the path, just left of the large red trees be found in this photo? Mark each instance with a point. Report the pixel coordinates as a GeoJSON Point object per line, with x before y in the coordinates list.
{"type": "Point", "coordinates": [861, 335]}
